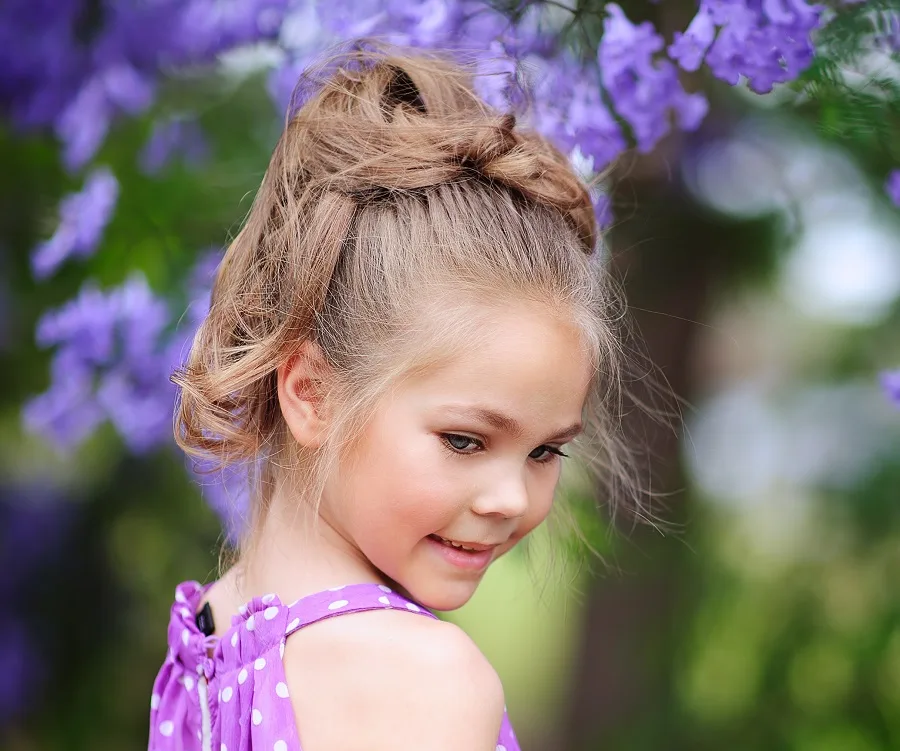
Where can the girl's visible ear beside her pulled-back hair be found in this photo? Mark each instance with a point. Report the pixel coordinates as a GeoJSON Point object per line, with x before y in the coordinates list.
{"type": "Point", "coordinates": [302, 383]}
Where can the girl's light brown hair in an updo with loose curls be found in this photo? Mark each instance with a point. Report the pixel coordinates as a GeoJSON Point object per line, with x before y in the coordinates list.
{"type": "Point", "coordinates": [397, 211]}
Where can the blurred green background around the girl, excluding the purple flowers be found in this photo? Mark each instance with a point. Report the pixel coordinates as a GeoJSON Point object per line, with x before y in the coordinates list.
{"type": "Point", "coordinates": [762, 263]}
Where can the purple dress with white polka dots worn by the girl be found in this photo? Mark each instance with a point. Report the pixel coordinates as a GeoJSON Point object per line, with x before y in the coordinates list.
{"type": "Point", "coordinates": [237, 699]}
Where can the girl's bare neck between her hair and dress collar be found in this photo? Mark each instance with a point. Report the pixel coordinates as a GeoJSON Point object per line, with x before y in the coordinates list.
{"type": "Point", "coordinates": [296, 552]}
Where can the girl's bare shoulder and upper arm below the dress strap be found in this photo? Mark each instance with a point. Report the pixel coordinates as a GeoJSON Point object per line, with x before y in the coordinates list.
{"type": "Point", "coordinates": [388, 679]}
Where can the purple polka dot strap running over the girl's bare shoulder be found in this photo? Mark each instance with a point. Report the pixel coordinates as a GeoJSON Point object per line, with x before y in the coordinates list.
{"type": "Point", "coordinates": [352, 598]}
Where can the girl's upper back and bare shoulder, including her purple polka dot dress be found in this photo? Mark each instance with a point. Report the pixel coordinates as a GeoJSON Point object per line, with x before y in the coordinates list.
{"type": "Point", "coordinates": [348, 680]}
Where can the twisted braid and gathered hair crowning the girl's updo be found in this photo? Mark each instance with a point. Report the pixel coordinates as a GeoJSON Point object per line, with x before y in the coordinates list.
{"type": "Point", "coordinates": [405, 137]}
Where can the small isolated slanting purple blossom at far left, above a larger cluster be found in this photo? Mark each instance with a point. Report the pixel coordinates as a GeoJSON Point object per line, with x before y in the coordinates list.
{"type": "Point", "coordinates": [83, 218]}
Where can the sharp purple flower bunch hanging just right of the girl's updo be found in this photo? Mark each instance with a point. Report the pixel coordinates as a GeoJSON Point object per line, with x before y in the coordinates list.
{"type": "Point", "coordinates": [642, 87]}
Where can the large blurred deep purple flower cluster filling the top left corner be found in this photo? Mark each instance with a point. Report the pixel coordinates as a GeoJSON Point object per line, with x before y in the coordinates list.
{"type": "Point", "coordinates": [76, 66]}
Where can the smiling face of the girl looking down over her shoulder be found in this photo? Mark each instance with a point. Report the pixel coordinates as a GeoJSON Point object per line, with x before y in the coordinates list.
{"type": "Point", "coordinates": [464, 455]}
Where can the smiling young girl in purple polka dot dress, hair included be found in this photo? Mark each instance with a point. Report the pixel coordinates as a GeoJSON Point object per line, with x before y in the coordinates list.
{"type": "Point", "coordinates": [403, 339]}
